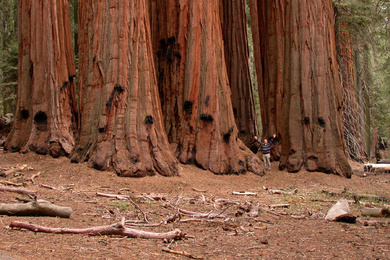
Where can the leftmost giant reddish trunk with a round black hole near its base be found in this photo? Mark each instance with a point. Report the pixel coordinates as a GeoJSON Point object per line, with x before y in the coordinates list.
{"type": "Point", "coordinates": [46, 114]}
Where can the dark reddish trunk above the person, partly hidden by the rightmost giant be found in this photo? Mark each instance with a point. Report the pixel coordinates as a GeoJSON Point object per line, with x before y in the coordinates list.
{"type": "Point", "coordinates": [268, 29]}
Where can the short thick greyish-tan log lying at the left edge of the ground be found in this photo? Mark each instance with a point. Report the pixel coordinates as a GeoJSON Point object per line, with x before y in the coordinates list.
{"type": "Point", "coordinates": [35, 208]}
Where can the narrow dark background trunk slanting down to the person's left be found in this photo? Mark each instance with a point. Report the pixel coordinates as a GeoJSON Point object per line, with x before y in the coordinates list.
{"type": "Point", "coordinates": [235, 40]}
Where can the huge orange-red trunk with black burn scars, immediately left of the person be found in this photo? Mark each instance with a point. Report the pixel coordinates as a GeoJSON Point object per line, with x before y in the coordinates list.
{"type": "Point", "coordinates": [194, 87]}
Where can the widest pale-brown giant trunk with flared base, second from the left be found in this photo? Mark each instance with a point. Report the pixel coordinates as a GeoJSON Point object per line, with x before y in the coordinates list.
{"type": "Point", "coordinates": [121, 119]}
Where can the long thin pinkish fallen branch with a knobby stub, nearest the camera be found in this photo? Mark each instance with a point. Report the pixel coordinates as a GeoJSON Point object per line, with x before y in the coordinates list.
{"type": "Point", "coordinates": [115, 229]}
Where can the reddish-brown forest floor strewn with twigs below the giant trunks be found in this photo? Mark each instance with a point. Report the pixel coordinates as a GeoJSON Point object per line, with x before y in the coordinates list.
{"type": "Point", "coordinates": [297, 231]}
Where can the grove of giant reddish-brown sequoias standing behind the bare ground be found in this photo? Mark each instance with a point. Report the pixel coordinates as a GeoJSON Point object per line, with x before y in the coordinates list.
{"type": "Point", "coordinates": [139, 86]}
